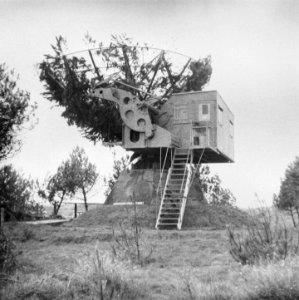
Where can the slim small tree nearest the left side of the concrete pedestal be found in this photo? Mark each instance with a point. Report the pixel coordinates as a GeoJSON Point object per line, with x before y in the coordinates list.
{"type": "Point", "coordinates": [84, 173]}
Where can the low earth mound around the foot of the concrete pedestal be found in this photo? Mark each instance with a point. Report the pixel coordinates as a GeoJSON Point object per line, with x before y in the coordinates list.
{"type": "Point", "coordinates": [196, 216]}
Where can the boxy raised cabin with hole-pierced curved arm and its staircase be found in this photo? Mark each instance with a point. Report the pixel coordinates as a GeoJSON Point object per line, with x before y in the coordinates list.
{"type": "Point", "coordinates": [197, 127]}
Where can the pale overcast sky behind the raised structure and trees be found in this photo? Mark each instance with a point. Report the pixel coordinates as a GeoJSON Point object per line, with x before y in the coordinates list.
{"type": "Point", "coordinates": [254, 47]}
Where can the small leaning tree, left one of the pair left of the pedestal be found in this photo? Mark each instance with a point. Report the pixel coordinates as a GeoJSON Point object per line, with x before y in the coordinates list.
{"type": "Point", "coordinates": [58, 187]}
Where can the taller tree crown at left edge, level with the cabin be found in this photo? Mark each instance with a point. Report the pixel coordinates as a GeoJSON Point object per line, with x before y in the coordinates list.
{"type": "Point", "coordinates": [15, 111]}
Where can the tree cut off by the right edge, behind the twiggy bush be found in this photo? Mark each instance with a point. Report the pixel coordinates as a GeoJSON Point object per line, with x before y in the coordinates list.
{"type": "Point", "coordinates": [288, 197]}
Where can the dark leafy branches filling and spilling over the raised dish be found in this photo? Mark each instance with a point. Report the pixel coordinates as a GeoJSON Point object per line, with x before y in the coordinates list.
{"type": "Point", "coordinates": [68, 79]}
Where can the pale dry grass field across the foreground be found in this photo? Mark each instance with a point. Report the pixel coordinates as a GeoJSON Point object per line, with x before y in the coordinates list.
{"type": "Point", "coordinates": [73, 261]}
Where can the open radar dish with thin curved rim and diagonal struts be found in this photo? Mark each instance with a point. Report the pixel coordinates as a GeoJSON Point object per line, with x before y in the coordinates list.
{"type": "Point", "coordinates": [152, 74]}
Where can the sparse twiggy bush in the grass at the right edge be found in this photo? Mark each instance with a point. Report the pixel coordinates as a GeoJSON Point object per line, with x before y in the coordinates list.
{"type": "Point", "coordinates": [264, 238]}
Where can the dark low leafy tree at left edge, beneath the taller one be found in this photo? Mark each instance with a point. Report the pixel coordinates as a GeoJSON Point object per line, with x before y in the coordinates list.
{"type": "Point", "coordinates": [16, 193]}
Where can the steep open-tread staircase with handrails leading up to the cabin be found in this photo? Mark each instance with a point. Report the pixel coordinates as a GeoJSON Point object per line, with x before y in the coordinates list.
{"type": "Point", "coordinates": [176, 190]}
